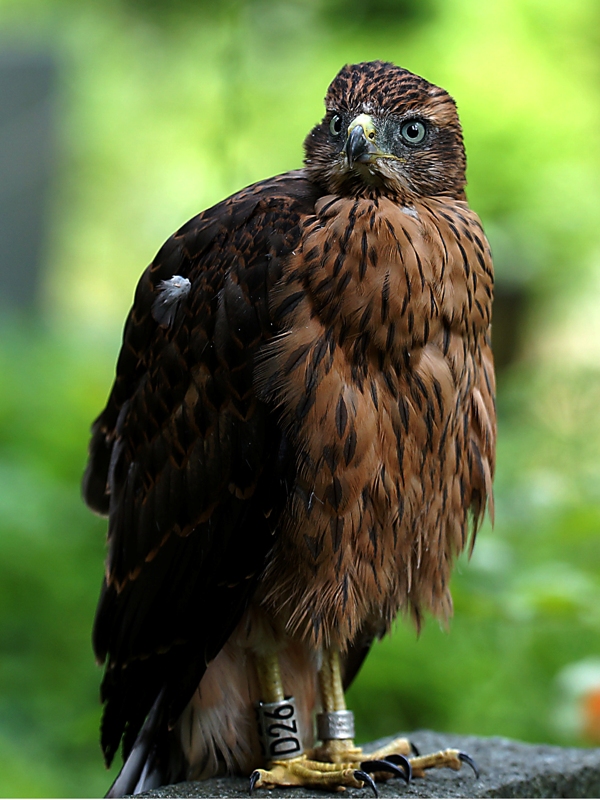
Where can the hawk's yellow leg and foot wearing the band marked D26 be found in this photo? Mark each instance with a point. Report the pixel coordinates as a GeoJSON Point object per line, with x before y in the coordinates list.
{"type": "Point", "coordinates": [279, 729]}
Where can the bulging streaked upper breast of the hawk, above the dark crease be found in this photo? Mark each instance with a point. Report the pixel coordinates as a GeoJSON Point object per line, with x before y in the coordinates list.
{"type": "Point", "coordinates": [383, 278]}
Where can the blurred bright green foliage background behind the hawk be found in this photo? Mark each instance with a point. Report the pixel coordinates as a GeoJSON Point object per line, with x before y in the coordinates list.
{"type": "Point", "coordinates": [163, 107]}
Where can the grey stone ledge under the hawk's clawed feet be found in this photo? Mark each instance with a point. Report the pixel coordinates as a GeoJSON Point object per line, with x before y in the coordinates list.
{"type": "Point", "coordinates": [507, 769]}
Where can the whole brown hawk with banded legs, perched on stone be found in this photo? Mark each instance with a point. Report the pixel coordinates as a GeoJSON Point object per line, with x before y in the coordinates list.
{"type": "Point", "coordinates": [298, 442]}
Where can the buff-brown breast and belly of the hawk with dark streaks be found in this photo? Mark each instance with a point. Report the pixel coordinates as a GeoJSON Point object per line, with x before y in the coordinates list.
{"type": "Point", "coordinates": [373, 306]}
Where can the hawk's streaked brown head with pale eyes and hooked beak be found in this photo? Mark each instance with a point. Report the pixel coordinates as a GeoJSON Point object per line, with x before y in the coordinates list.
{"type": "Point", "coordinates": [387, 131]}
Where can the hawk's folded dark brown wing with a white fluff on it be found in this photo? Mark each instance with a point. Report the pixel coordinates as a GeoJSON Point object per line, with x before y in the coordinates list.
{"type": "Point", "coordinates": [189, 466]}
